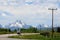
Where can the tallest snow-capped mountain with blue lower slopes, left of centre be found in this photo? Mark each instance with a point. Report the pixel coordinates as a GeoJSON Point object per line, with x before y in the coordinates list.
{"type": "Point", "coordinates": [16, 25]}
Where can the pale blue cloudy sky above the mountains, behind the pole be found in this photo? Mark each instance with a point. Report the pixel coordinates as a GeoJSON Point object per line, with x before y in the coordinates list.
{"type": "Point", "coordinates": [31, 12]}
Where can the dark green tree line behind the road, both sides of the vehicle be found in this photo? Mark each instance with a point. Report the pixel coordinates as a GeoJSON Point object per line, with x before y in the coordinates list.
{"type": "Point", "coordinates": [8, 31]}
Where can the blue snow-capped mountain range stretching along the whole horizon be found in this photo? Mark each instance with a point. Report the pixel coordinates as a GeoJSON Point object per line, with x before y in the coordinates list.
{"type": "Point", "coordinates": [20, 24]}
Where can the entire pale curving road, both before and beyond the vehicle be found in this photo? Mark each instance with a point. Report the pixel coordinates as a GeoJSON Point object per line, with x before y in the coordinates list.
{"type": "Point", "coordinates": [5, 36]}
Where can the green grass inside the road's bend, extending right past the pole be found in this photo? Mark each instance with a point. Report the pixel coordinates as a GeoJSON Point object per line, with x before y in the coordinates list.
{"type": "Point", "coordinates": [37, 36]}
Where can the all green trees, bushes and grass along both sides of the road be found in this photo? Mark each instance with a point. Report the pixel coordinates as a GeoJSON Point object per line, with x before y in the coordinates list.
{"type": "Point", "coordinates": [43, 34]}
